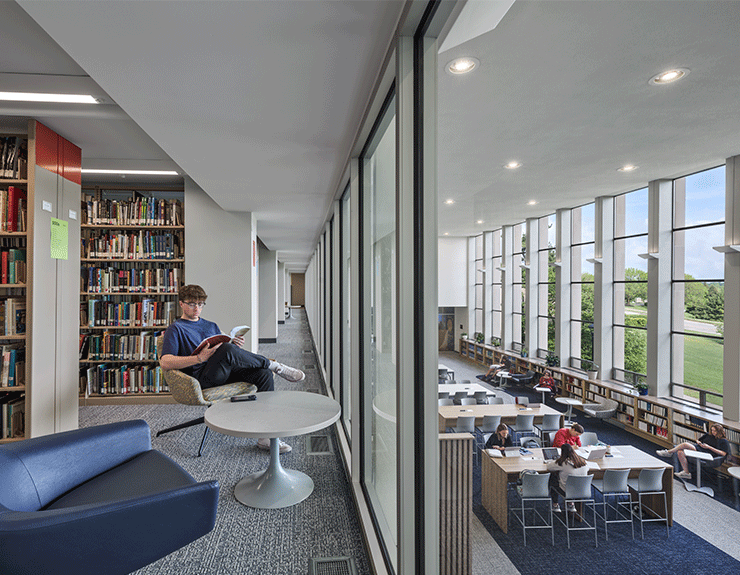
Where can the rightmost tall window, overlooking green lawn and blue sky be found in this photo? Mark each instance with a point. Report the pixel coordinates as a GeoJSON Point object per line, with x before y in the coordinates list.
{"type": "Point", "coordinates": [698, 286]}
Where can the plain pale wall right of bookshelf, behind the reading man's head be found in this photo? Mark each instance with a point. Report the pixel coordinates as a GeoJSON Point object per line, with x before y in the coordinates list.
{"type": "Point", "coordinates": [219, 257]}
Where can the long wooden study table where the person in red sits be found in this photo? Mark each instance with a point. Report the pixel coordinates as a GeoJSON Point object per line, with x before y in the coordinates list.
{"type": "Point", "coordinates": [496, 473]}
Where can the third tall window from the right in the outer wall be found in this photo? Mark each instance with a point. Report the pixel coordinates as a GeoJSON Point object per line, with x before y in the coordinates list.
{"type": "Point", "coordinates": [582, 284]}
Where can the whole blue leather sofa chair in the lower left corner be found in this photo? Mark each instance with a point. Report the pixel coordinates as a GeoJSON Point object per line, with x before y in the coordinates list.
{"type": "Point", "coordinates": [97, 500]}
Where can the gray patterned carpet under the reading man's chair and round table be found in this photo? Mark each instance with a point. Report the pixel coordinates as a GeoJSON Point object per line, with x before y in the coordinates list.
{"type": "Point", "coordinates": [247, 540]}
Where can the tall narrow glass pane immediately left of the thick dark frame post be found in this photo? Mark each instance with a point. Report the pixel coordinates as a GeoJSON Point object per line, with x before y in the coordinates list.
{"type": "Point", "coordinates": [379, 442]}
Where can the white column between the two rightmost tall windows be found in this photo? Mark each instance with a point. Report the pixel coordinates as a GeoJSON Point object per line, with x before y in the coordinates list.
{"type": "Point", "coordinates": [660, 196]}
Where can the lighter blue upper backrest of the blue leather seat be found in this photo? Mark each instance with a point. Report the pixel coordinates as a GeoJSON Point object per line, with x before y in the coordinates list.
{"type": "Point", "coordinates": [36, 471]}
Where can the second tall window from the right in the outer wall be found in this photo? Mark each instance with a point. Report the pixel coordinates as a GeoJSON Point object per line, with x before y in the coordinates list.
{"type": "Point", "coordinates": [630, 286]}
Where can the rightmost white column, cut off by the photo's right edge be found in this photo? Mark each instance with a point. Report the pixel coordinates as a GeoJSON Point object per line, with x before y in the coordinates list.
{"type": "Point", "coordinates": [731, 360]}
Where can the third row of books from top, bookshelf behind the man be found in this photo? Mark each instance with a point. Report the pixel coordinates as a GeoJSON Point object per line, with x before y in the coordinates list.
{"type": "Point", "coordinates": [114, 280]}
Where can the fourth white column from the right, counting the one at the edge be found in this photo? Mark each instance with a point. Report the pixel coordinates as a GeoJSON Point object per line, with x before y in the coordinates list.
{"type": "Point", "coordinates": [562, 287]}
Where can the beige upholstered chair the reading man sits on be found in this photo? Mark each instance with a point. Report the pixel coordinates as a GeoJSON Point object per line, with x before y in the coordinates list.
{"type": "Point", "coordinates": [186, 390]}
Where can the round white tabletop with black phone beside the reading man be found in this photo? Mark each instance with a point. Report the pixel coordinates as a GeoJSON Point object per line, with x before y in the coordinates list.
{"type": "Point", "coordinates": [273, 414]}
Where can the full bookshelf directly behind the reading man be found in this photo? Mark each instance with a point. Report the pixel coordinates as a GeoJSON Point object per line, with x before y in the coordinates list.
{"type": "Point", "coordinates": [131, 268]}
